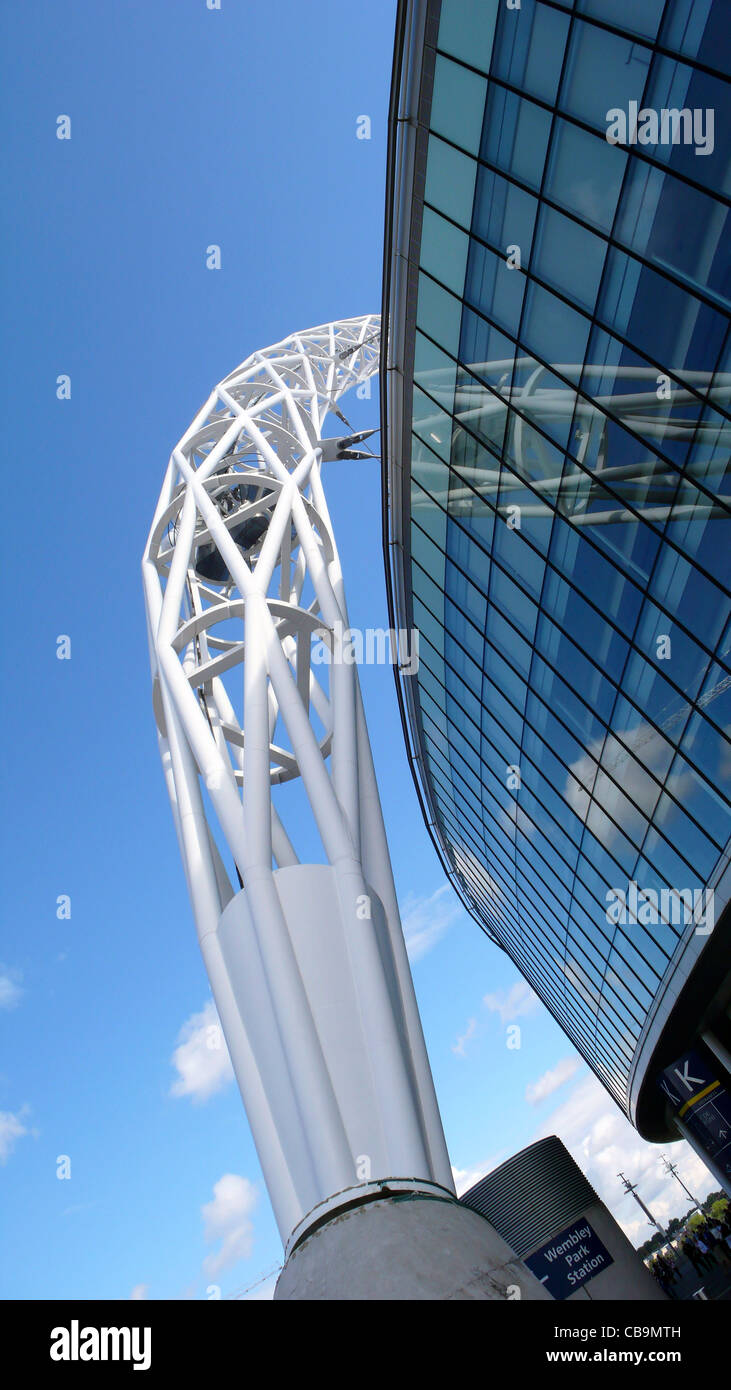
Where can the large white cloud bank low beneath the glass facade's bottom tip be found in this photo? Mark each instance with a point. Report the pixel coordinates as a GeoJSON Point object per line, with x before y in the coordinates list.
{"type": "Point", "coordinates": [604, 1143]}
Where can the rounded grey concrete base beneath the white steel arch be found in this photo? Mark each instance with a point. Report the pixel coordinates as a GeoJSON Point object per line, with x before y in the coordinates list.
{"type": "Point", "coordinates": [406, 1249]}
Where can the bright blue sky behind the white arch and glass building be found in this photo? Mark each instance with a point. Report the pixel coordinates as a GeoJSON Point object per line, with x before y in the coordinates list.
{"type": "Point", "coordinates": [190, 127]}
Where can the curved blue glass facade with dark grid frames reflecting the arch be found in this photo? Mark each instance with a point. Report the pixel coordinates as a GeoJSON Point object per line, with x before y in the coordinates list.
{"type": "Point", "coordinates": [562, 362]}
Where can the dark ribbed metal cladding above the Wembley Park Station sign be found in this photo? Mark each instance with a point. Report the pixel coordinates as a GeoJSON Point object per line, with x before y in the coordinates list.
{"type": "Point", "coordinates": [533, 1196]}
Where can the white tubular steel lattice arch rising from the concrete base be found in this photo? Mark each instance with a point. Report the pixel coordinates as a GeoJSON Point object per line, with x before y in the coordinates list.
{"type": "Point", "coordinates": [306, 963]}
